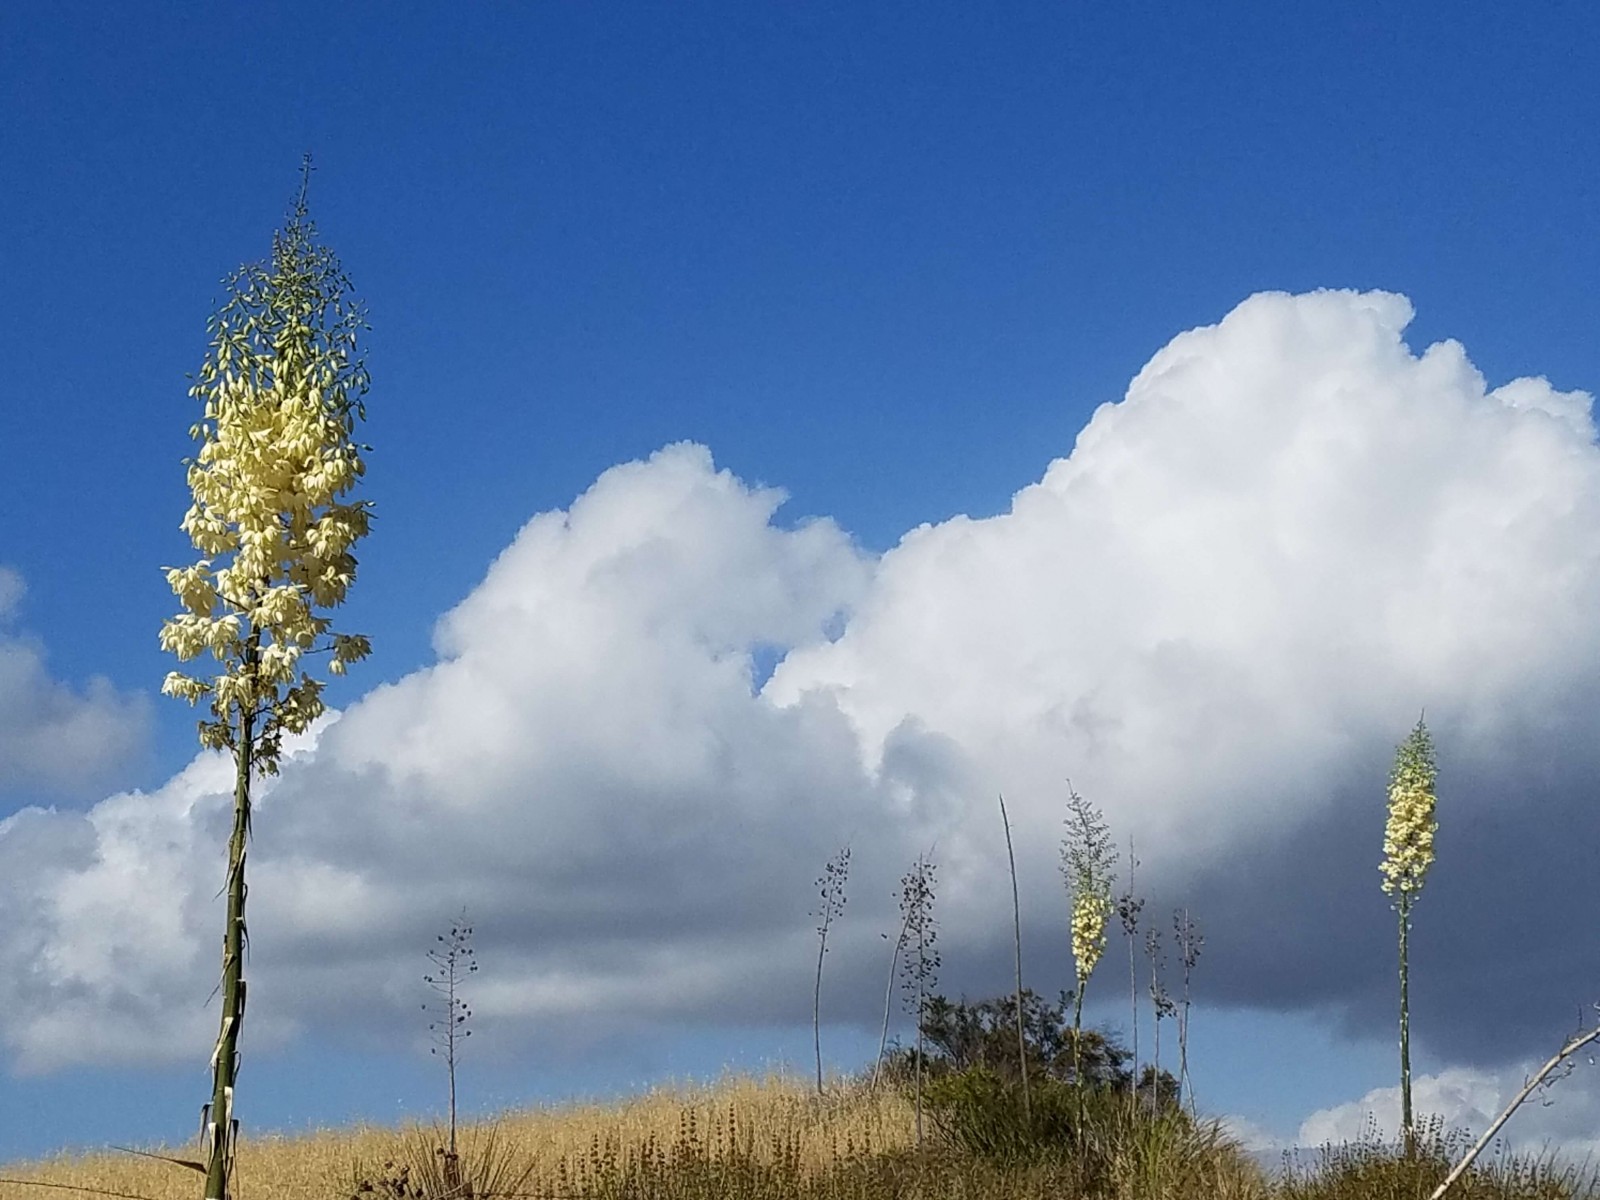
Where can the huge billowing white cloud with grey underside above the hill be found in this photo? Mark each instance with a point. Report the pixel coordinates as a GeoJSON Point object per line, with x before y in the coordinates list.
{"type": "Point", "coordinates": [1217, 615]}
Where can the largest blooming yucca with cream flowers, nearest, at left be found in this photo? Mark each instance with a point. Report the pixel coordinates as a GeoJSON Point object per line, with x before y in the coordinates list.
{"type": "Point", "coordinates": [281, 393]}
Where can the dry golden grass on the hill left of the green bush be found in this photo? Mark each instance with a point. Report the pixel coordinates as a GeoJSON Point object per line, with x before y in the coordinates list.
{"type": "Point", "coordinates": [770, 1114]}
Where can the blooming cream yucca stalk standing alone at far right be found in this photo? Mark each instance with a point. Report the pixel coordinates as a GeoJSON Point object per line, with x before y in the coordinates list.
{"type": "Point", "coordinates": [1409, 854]}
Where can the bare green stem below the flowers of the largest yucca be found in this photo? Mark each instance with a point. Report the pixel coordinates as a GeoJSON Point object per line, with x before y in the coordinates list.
{"type": "Point", "coordinates": [222, 1127]}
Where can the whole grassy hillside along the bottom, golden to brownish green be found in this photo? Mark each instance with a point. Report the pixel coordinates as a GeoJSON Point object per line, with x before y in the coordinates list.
{"type": "Point", "coordinates": [775, 1140]}
